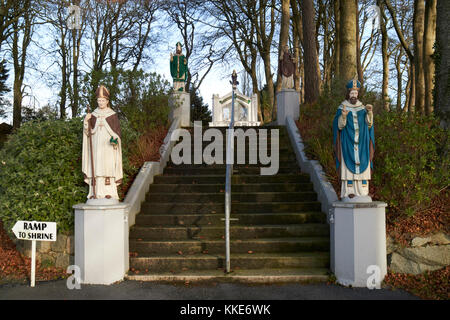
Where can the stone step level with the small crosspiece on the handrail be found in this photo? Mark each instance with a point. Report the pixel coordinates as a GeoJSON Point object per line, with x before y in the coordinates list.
{"type": "Point", "coordinates": [249, 219]}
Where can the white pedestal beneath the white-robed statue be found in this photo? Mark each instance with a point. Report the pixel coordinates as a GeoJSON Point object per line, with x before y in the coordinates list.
{"type": "Point", "coordinates": [101, 242]}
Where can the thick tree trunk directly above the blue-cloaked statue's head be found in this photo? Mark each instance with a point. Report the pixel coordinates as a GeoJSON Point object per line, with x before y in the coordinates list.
{"type": "Point", "coordinates": [347, 35]}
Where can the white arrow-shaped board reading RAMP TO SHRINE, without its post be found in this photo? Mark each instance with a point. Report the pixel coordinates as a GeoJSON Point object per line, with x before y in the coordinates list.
{"type": "Point", "coordinates": [35, 230]}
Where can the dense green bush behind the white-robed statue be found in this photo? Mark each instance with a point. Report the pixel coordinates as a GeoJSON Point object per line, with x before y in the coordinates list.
{"type": "Point", "coordinates": [40, 172]}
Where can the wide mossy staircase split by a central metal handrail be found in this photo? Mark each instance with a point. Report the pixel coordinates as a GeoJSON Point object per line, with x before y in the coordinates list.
{"type": "Point", "coordinates": [279, 235]}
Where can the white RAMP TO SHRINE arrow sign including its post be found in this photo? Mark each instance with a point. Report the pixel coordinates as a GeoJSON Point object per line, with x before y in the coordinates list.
{"type": "Point", "coordinates": [34, 230]}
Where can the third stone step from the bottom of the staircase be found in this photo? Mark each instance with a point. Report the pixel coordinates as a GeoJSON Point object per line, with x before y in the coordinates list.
{"type": "Point", "coordinates": [271, 245]}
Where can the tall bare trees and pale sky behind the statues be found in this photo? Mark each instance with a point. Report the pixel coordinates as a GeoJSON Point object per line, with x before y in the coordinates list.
{"type": "Point", "coordinates": [405, 60]}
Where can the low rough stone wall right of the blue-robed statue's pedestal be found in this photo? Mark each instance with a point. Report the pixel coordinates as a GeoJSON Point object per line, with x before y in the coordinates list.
{"type": "Point", "coordinates": [424, 254]}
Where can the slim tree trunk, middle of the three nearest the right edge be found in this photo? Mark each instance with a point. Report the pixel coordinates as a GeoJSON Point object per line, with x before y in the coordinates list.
{"type": "Point", "coordinates": [428, 43]}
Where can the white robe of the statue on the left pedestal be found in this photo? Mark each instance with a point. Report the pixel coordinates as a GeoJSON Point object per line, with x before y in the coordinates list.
{"type": "Point", "coordinates": [107, 159]}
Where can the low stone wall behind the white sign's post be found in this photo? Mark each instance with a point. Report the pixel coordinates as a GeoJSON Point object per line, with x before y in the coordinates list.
{"type": "Point", "coordinates": [59, 253]}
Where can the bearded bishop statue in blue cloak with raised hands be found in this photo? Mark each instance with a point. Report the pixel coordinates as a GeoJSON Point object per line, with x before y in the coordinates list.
{"type": "Point", "coordinates": [354, 145]}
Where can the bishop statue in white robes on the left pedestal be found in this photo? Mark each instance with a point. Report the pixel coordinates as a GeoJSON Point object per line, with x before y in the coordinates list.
{"type": "Point", "coordinates": [102, 149]}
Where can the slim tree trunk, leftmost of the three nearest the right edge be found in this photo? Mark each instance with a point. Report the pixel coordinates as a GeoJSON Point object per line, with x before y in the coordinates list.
{"type": "Point", "coordinates": [419, 24]}
